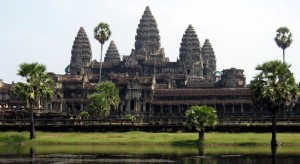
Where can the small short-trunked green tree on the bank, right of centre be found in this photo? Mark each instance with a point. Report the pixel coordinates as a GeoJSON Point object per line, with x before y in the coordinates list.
{"type": "Point", "coordinates": [200, 116]}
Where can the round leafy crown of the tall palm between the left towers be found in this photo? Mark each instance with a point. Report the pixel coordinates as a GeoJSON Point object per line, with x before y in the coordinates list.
{"type": "Point", "coordinates": [102, 32]}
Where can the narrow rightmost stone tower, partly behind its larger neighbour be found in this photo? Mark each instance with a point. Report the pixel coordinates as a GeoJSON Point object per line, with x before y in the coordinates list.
{"type": "Point", "coordinates": [209, 61]}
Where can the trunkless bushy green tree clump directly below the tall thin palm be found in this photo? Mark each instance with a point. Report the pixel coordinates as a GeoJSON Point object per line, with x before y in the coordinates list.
{"type": "Point", "coordinates": [105, 98]}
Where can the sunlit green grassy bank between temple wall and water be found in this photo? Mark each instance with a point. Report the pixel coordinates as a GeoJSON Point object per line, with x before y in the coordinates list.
{"type": "Point", "coordinates": [126, 138]}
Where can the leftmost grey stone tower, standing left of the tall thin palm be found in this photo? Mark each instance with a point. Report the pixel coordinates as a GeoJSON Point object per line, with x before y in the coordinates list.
{"type": "Point", "coordinates": [81, 53]}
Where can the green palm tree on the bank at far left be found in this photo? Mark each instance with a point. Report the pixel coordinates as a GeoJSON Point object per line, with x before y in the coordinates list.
{"type": "Point", "coordinates": [38, 85]}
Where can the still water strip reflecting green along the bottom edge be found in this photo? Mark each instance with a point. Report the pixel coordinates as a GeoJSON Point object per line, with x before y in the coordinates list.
{"type": "Point", "coordinates": [60, 154]}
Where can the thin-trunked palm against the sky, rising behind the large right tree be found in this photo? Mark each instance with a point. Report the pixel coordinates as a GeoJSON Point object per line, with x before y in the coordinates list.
{"type": "Point", "coordinates": [283, 39]}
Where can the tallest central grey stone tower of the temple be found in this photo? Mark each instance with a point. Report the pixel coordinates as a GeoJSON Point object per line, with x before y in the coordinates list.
{"type": "Point", "coordinates": [147, 39]}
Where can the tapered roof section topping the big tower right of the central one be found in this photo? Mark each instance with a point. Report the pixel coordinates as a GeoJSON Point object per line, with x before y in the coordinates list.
{"type": "Point", "coordinates": [190, 46]}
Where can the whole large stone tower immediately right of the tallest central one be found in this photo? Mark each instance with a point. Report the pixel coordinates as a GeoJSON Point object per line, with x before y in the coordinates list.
{"type": "Point", "coordinates": [190, 53]}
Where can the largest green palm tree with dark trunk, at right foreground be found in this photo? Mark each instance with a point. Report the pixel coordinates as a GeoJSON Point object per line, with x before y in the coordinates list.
{"type": "Point", "coordinates": [274, 88]}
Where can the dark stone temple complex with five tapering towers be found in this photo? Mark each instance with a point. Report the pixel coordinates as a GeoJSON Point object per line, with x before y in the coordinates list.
{"type": "Point", "coordinates": [150, 85]}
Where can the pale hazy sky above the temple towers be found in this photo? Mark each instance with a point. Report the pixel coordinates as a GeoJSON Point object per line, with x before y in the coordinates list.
{"type": "Point", "coordinates": [241, 32]}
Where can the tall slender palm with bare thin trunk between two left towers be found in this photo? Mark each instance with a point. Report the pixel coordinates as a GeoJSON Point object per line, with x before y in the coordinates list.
{"type": "Point", "coordinates": [102, 34]}
